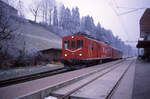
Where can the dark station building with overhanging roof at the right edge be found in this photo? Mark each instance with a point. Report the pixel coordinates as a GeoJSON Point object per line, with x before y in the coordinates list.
{"type": "Point", "coordinates": [145, 34]}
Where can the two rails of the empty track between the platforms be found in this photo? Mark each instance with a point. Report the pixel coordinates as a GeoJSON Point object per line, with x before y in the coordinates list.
{"type": "Point", "coordinates": [110, 68]}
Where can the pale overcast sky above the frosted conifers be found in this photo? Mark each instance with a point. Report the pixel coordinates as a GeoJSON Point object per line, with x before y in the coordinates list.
{"type": "Point", "coordinates": [125, 26]}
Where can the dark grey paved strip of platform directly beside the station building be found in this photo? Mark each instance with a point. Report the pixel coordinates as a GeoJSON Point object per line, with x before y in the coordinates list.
{"type": "Point", "coordinates": [141, 89]}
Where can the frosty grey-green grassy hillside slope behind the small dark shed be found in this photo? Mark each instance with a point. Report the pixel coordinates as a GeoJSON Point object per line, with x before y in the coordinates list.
{"type": "Point", "coordinates": [38, 37]}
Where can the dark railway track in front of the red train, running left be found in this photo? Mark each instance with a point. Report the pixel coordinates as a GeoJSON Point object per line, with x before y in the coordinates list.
{"type": "Point", "coordinates": [31, 77]}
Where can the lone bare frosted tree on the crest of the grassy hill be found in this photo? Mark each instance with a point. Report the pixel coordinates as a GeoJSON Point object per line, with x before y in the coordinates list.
{"type": "Point", "coordinates": [35, 8]}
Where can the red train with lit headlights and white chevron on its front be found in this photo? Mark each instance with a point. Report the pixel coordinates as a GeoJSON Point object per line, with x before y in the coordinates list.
{"type": "Point", "coordinates": [82, 49]}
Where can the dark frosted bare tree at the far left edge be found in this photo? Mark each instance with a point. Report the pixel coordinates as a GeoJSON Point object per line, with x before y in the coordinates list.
{"type": "Point", "coordinates": [6, 34]}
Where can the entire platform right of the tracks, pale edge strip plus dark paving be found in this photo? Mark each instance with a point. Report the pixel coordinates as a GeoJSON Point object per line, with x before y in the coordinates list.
{"type": "Point", "coordinates": [136, 83]}
